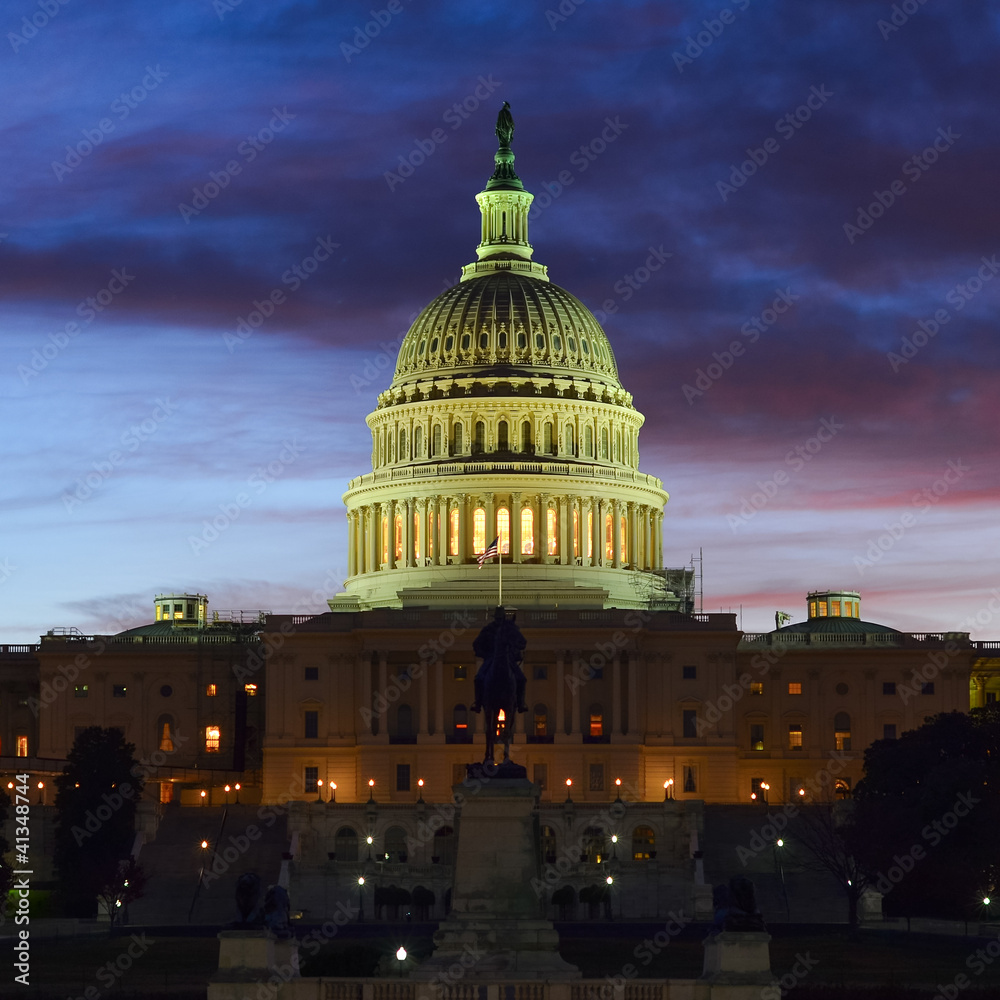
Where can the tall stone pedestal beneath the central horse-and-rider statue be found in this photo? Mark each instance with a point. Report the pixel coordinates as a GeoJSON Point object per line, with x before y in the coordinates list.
{"type": "Point", "coordinates": [496, 930]}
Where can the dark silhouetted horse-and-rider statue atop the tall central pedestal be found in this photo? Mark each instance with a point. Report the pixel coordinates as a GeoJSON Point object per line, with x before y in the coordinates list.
{"type": "Point", "coordinates": [500, 680]}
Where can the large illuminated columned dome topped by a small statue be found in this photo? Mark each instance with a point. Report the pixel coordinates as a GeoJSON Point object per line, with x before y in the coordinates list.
{"type": "Point", "coordinates": [505, 419]}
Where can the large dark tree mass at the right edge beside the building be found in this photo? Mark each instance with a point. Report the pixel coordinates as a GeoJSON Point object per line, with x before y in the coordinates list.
{"type": "Point", "coordinates": [930, 804]}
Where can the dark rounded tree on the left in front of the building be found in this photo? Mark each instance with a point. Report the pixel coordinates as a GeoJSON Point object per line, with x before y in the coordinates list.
{"type": "Point", "coordinates": [98, 792]}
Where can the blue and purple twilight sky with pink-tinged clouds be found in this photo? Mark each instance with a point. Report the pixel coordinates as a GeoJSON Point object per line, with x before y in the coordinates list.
{"type": "Point", "coordinates": [784, 216]}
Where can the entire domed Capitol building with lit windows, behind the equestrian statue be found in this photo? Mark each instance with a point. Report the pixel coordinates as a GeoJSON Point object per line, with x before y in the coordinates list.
{"type": "Point", "coordinates": [505, 418]}
